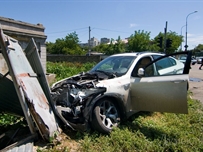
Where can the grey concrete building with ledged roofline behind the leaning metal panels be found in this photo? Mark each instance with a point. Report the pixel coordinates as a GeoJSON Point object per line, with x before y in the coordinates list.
{"type": "Point", "coordinates": [23, 32]}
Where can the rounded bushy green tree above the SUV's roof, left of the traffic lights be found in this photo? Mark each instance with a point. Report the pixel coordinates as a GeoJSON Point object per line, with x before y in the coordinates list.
{"type": "Point", "coordinates": [139, 41]}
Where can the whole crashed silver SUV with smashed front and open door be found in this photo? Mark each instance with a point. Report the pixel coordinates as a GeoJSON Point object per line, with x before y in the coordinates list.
{"type": "Point", "coordinates": [119, 86]}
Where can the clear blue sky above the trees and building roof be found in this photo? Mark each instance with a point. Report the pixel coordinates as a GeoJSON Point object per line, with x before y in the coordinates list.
{"type": "Point", "coordinates": [109, 18]}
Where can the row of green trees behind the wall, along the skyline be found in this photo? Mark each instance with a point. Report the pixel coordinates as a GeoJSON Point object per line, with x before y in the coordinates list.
{"type": "Point", "coordinates": [137, 42]}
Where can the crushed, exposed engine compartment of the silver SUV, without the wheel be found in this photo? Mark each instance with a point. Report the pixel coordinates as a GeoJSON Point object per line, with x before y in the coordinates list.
{"type": "Point", "coordinates": [73, 99]}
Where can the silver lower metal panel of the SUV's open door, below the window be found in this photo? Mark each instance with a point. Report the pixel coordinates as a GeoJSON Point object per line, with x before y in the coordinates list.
{"type": "Point", "coordinates": [163, 94]}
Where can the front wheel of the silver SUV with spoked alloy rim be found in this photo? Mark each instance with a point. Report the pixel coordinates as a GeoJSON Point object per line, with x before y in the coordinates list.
{"type": "Point", "coordinates": [106, 115]}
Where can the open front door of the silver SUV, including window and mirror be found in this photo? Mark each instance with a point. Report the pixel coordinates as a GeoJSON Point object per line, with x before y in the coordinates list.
{"type": "Point", "coordinates": [165, 90]}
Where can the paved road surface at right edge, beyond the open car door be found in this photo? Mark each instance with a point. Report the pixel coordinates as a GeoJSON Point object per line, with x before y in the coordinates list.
{"type": "Point", "coordinates": [196, 82]}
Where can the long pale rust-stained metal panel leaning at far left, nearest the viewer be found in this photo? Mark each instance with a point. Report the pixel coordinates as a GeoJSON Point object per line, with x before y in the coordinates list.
{"type": "Point", "coordinates": [29, 91]}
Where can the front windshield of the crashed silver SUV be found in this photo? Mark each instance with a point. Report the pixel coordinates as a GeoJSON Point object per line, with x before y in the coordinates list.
{"type": "Point", "coordinates": [117, 65]}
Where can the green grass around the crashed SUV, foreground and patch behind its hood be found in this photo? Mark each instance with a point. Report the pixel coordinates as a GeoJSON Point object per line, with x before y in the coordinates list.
{"type": "Point", "coordinates": [145, 131]}
